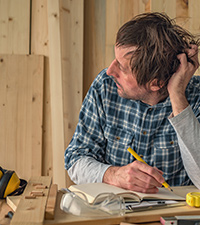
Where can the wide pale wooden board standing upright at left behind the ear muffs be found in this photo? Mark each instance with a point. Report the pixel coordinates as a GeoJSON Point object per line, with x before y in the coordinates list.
{"type": "Point", "coordinates": [21, 101]}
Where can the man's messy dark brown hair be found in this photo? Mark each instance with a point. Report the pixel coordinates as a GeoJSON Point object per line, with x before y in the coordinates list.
{"type": "Point", "coordinates": [158, 40]}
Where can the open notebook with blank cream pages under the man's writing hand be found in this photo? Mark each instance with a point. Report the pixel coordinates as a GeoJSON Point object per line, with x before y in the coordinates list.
{"type": "Point", "coordinates": [91, 190]}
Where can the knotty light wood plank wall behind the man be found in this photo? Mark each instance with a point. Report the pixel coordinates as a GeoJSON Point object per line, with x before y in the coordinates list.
{"type": "Point", "coordinates": [77, 39]}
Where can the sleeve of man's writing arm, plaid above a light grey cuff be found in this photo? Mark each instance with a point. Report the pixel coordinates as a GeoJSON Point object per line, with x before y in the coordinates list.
{"type": "Point", "coordinates": [85, 155]}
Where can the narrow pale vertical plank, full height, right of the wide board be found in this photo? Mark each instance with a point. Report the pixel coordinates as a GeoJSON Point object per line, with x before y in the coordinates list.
{"type": "Point", "coordinates": [56, 92]}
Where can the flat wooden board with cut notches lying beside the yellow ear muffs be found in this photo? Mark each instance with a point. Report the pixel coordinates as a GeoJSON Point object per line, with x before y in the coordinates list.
{"type": "Point", "coordinates": [32, 211]}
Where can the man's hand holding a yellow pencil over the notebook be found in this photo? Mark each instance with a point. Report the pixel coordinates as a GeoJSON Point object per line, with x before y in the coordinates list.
{"type": "Point", "coordinates": [136, 176]}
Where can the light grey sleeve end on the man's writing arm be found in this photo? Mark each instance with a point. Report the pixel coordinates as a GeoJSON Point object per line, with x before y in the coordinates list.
{"type": "Point", "coordinates": [87, 170]}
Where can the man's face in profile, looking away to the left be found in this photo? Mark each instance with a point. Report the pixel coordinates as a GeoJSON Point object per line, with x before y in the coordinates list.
{"type": "Point", "coordinates": [124, 78]}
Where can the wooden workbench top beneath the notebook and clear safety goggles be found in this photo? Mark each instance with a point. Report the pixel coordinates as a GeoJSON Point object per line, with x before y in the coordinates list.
{"type": "Point", "coordinates": [151, 217]}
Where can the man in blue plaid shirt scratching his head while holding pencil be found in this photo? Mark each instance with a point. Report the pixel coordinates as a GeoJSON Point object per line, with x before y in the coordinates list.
{"type": "Point", "coordinates": [149, 100]}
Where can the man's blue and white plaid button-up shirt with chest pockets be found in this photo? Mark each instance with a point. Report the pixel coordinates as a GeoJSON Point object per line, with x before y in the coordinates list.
{"type": "Point", "coordinates": [109, 124]}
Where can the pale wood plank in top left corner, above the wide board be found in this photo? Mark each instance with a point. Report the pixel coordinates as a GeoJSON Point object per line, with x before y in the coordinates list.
{"type": "Point", "coordinates": [14, 26]}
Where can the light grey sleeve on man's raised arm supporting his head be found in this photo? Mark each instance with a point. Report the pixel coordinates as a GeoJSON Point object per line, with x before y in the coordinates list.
{"type": "Point", "coordinates": [187, 128]}
